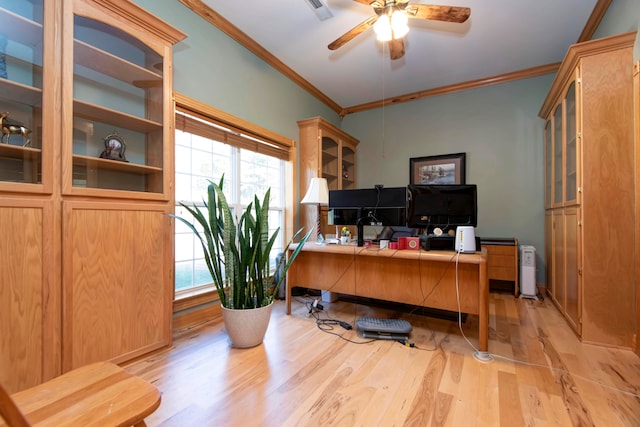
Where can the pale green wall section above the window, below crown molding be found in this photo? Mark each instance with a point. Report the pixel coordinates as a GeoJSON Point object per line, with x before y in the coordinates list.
{"type": "Point", "coordinates": [212, 68]}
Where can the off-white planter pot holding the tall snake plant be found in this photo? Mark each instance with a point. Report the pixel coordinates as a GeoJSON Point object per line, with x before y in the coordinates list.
{"type": "Point", "coordinates": [246, 328]}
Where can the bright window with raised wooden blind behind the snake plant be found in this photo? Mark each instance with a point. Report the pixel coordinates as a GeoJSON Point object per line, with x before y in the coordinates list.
{"type": "Point", "coordinates": [206, 149]}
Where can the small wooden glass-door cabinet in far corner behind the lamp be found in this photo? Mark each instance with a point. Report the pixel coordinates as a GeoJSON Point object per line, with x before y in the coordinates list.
{"type": "Point", "coordinates": [326, 152]}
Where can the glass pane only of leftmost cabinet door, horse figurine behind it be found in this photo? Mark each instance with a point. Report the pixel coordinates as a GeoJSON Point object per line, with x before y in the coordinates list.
{"type": "Point", "coordinates": [21, 86]}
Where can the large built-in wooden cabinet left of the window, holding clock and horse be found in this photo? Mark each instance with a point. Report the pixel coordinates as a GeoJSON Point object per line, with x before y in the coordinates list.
{"type": "Point", "coordinates": [85, 186]}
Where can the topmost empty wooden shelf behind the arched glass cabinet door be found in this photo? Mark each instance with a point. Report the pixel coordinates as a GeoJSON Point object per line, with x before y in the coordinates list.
{"type": "Point", "coordinates": [114, 66]}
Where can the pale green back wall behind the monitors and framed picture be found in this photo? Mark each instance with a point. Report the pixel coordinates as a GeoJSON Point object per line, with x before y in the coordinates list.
{"type": "Point", "coordinates": [499, 130]}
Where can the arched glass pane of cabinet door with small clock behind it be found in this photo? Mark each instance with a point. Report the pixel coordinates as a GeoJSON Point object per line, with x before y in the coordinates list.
{"type": "Point", "coordinates": [117, 110]}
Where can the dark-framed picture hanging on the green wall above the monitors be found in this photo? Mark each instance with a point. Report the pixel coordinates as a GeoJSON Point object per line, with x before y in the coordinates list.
{"type": "Point", "coordinates": [442, 169]}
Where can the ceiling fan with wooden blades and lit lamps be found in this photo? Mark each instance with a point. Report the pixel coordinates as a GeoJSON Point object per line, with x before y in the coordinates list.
{"type": "Point", "coordinates": [390, 21]}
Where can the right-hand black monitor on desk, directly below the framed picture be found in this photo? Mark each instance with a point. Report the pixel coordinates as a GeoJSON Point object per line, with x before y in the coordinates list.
{"type": "Point", "coordinates": [443, 206]}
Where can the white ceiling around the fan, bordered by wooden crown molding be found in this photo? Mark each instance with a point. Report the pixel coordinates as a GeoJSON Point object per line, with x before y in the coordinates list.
{"type": "Point", "coordinates": [501, 36]}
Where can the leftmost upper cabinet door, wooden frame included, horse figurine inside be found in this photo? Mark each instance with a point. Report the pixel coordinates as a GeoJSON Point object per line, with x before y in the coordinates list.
{"type": "Point", "coordinates": [25, 56]}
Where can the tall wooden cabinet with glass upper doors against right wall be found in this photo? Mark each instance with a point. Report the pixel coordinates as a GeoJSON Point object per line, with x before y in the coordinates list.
{"type": "Point", "coordinates": [590, 190]}
